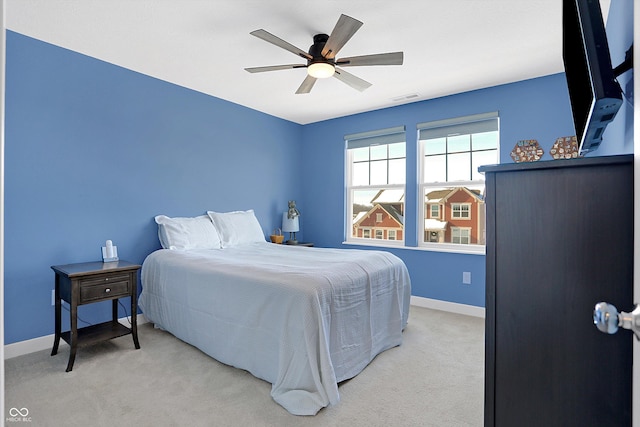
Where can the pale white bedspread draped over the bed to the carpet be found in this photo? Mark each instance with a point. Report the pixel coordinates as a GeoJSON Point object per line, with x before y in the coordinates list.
{"type": "Point", "coordinates": [300, 318]}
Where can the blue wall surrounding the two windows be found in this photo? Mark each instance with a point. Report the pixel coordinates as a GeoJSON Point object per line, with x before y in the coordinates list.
{"type": "Point", "coordinates": [533, 109]}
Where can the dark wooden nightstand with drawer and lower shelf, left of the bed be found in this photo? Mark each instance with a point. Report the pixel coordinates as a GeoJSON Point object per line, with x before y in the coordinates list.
{"type": "Point", "coordinates": [90, 282]}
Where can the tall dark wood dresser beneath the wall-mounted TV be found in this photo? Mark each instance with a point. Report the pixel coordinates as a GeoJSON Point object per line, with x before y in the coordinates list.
{"type": "Point", "coordinates": [559, 240]}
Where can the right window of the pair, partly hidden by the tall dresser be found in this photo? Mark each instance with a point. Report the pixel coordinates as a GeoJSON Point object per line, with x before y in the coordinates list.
{"type": "Point", "coordinates": [450, 152]}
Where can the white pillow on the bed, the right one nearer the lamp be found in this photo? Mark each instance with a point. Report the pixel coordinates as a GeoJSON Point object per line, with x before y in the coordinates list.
{"type": "Point", "coordinates": [237, 228]}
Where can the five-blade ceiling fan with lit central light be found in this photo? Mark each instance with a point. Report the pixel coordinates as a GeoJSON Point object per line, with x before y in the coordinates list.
{"type": "Point", "coordinates": [321, 58]}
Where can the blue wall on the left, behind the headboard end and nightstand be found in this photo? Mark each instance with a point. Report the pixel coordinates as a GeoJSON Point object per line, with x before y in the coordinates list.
{"type": "Point", "coordinates": [94, 152]}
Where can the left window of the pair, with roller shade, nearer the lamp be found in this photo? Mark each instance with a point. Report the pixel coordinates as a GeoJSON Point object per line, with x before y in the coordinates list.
{"type": "Point", "coordinates": [375, 181]}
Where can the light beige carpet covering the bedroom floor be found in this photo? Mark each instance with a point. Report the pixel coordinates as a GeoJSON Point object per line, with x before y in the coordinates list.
{"type": "Point", "coordinates": [435, 378]}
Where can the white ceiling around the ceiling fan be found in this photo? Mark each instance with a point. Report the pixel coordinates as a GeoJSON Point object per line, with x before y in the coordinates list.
{"type": "Point", "coordinates": [449, 46]}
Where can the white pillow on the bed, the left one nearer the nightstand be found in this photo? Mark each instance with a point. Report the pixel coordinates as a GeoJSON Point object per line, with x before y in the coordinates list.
{"type": "Point", "coordinates": [187, 233]}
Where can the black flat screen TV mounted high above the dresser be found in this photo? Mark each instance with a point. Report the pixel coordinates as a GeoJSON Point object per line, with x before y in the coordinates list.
{"type": "Point", "coordinates": [594, 93]}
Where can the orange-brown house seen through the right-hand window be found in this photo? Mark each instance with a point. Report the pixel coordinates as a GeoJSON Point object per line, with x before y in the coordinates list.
{"type": "Point", "coordinates": [454, 215]}
